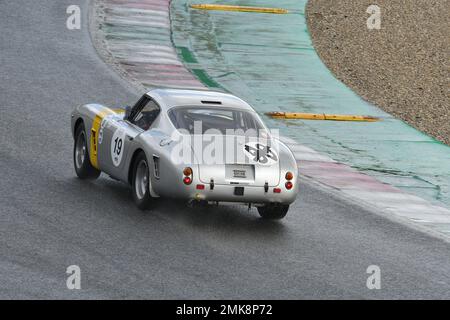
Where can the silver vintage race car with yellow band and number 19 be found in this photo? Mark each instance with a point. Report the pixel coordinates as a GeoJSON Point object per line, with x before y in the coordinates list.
{"type": "Point", "coordinates": [200, 146]}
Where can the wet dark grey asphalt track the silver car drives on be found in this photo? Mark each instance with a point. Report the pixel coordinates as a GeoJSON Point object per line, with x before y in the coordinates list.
{"type": "Point", "coordinates": [49, 219]}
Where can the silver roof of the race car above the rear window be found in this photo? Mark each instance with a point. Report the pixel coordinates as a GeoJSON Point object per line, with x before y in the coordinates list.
{"type": "Point", "coordinates": [168, 98]}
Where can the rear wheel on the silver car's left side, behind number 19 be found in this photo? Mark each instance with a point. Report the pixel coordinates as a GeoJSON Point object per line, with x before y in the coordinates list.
{"type": "Point", "coordinates": [140, 188]}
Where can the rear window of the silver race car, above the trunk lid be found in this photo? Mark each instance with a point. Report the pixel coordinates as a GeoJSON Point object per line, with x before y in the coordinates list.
{"type": "Point", "coordinates": [201, 120]}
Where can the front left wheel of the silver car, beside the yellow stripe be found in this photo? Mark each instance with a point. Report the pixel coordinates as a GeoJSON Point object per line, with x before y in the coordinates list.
{"type": "Point", "coordinates": [81, 159]}
